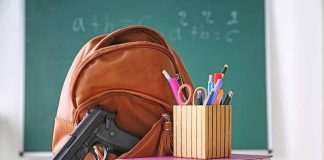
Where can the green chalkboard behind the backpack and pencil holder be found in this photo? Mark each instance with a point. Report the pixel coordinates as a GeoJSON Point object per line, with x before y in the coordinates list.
{"type": "Point", "coordinates": [206, 34]}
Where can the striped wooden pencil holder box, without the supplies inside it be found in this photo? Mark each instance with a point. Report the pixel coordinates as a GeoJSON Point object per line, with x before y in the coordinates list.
{"type": "Point", "coordinates": [202, 131]}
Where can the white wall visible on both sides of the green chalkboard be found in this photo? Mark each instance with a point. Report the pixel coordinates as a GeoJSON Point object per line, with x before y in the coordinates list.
{"type": "Point", "coordinates": [295, 60]}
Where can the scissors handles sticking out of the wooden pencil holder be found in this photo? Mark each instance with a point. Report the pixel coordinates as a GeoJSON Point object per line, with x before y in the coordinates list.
{"type": "Point", "coordinates": [191, 96]}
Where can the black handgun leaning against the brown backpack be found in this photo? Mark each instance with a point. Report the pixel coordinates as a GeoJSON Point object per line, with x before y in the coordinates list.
{"type": "Point", "coordinates": [98, 128]}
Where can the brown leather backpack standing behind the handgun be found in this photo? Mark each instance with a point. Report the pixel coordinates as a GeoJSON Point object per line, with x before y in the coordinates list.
{"type": "Point", "coordinates": [122, 72]}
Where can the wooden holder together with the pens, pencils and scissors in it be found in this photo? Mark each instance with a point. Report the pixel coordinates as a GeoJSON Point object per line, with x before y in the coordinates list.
{"type": "Point", "coordinates": [202, 128]}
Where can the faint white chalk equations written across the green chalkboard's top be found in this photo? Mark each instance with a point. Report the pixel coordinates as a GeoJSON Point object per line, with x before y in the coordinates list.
{"type": "Point", "coordinates": [197, 31]}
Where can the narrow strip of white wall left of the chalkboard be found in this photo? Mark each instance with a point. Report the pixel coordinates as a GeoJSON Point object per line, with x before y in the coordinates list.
{"type": "Point", "coordinates": [11, 77]}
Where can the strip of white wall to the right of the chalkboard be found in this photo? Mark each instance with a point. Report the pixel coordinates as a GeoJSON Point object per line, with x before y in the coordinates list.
{"type": "Point", "coordinates": [296, 59]}
